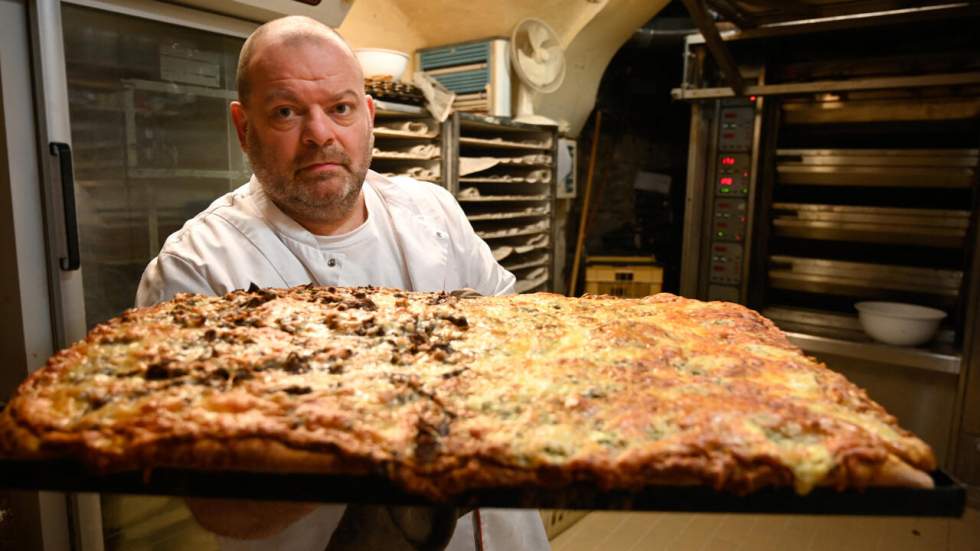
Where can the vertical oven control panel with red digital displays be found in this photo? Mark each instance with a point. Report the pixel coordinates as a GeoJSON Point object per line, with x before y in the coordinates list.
{"type": "Point", "coordinates": [730, 189]}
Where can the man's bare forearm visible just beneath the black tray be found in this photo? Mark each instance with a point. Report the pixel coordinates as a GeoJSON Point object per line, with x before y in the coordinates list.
{"type": "Point", "coordinates": [244, 519]}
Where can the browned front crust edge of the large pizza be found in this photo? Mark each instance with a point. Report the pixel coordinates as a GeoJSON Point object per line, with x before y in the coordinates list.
{"type": "Point", "coordinates": [453, 476]}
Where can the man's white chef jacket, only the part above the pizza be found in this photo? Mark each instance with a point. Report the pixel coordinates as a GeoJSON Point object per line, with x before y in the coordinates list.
{"type": "Point", "coordinates": [243, 238]}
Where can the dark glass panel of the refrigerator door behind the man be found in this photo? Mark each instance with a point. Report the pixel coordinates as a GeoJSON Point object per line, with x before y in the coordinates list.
{"type": "Point", "coordinates": [153, 146]}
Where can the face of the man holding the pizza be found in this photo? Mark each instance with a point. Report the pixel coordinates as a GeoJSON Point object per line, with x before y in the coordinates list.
{"type": "Point", "coordinates": [307, 128]}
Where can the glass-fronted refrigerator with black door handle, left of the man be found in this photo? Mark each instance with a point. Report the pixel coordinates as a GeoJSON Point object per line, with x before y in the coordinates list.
{"type": "Point", "coordinates": [114, 130]}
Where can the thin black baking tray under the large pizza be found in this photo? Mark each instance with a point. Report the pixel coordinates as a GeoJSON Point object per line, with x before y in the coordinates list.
{"type": "Point", "coordinates": [947, 499]}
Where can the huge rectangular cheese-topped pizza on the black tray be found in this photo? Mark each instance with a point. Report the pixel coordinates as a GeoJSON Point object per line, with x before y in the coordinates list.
{"type": "Point", "coordinates": [445, 395]}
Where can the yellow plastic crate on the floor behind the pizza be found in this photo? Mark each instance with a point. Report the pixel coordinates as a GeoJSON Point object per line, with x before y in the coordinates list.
{"type": "Point", "coordinates": [623, 276]}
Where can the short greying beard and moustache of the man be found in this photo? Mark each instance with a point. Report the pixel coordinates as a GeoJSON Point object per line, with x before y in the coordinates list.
{"type": "Point", "coordinates": [299, 195]}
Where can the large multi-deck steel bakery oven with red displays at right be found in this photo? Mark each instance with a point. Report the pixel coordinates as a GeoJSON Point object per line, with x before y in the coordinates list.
{"type": "Point", "coordinates": [838, 177]}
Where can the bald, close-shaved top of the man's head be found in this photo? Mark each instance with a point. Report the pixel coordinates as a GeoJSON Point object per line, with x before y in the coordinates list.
{"type": "Point", "coordinates": [283, 32]}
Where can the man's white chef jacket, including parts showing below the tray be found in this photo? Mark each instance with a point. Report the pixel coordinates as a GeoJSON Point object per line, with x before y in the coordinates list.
{"type": "Point", "coordinates": [243, 238]}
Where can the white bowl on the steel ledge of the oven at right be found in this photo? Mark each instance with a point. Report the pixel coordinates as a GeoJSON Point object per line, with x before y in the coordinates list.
{"type": "Point", "coordinates": [899, 323]}
